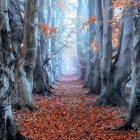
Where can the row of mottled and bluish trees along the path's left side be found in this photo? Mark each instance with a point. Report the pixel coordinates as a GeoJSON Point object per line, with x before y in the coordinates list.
{"type": "Point", "coordinates": [27, 59]}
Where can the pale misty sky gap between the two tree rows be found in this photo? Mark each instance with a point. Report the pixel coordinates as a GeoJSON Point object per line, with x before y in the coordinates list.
{"type": "Point", "coordinates": [70, 52]}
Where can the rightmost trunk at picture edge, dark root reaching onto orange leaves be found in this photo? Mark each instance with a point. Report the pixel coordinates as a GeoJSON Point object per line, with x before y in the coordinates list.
{"type": "Point", "coordinates": [134, 113]}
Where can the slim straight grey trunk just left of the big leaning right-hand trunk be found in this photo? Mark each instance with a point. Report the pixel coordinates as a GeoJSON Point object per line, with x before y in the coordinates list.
{"type": "Point", "coordinates": [106, 59]}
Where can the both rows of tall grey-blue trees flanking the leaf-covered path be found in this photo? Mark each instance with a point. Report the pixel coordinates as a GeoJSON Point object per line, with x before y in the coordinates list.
{"type": "Point", "coordinates": [30, 61]}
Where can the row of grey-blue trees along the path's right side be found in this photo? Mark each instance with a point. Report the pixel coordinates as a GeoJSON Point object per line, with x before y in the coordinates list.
{"type": "Point", "coordinates": [109, 67]}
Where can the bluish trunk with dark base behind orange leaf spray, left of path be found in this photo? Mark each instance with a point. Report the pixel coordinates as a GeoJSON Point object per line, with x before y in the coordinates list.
{"type": "Point", "coordinates": [41, 75]}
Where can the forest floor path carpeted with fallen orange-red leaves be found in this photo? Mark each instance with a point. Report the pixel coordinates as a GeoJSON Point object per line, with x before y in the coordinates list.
{"type": "Point", "coordinates": [64, 116]}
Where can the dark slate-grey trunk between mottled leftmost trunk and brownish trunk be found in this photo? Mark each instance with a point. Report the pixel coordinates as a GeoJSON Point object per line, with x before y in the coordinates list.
{"type": "Point", "coordinates": [17, 38]}
